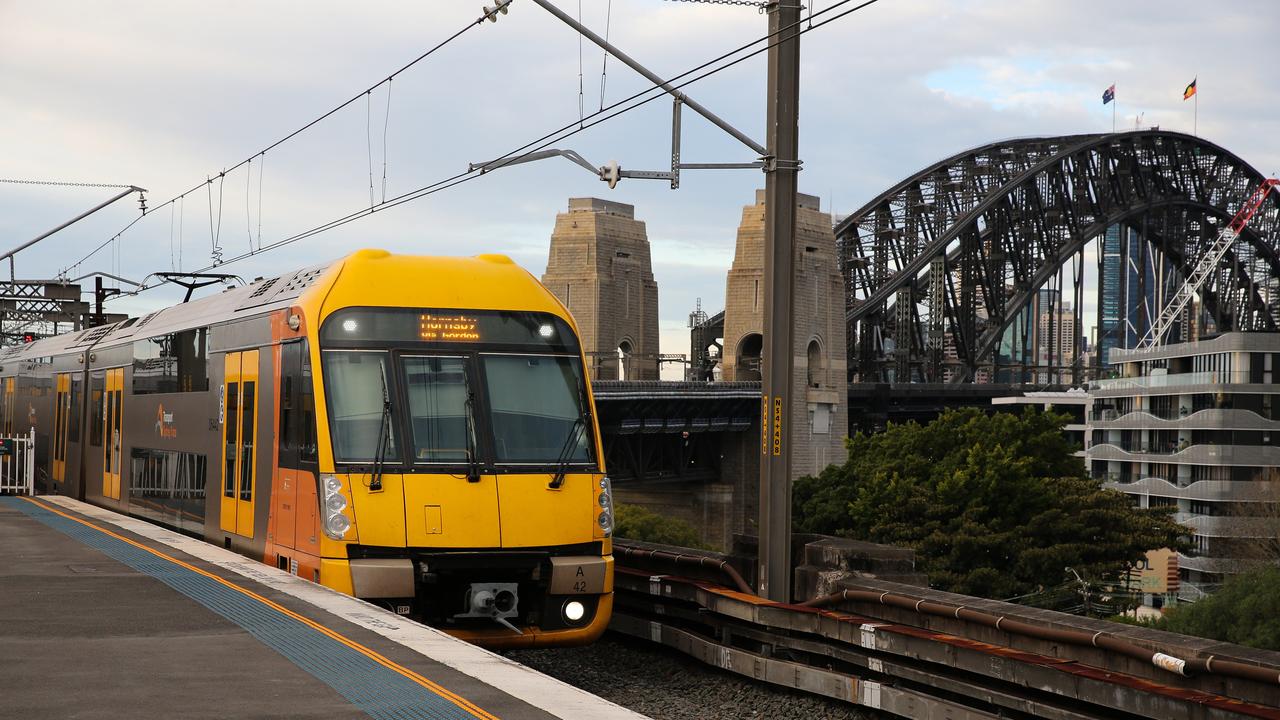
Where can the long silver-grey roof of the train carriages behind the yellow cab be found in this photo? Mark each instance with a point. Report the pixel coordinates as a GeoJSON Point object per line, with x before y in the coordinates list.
{"type": "Point", "coordinates": [263, 295]}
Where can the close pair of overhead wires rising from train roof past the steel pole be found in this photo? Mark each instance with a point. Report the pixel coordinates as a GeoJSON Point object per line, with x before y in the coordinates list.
{"type": "Point", "coordinates": [623, 107]}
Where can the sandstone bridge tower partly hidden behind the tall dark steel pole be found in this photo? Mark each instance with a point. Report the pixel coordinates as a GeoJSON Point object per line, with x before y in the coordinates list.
{"type": "Point", "coordinates": [820, 404]}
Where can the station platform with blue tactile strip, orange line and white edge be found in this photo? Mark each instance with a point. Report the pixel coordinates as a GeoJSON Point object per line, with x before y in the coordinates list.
{"type": "Point", "coordinates": [108, 617]}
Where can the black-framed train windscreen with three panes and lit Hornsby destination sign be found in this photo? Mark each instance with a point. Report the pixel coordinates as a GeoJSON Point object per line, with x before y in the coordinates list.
{"type": "Point", "coordinates": [456, 391]}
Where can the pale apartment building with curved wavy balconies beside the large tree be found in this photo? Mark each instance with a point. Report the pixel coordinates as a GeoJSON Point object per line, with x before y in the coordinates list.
{"type": "Point", "coordinates": [1196, 426]}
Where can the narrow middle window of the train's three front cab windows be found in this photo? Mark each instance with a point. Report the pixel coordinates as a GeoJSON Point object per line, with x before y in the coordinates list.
{"type": "Point", "coordinates": [440, 409]}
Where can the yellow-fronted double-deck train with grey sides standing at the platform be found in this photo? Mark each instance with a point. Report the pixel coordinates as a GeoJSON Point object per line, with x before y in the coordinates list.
{"type": "Point", "coordinates": [413, 431]}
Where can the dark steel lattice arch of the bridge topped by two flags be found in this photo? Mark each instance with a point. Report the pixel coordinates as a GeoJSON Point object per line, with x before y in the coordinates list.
{"type": "Point", "coordinates": [944, 271]}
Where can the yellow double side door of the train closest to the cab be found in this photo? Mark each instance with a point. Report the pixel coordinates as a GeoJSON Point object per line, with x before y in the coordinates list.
{"type": "Point", "coordinates": [240, 432]}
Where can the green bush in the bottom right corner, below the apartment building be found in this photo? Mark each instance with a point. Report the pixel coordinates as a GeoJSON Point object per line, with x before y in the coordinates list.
{"type": "Point", "coordinates": [1246, 610]}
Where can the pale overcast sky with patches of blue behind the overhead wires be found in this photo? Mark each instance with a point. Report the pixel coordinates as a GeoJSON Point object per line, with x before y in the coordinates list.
{"type": "Point", "coordinates": [164, 95]}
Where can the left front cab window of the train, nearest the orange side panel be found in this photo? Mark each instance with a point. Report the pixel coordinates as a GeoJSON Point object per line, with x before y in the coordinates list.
{"type": "Point", "coordinates": [356, 382]}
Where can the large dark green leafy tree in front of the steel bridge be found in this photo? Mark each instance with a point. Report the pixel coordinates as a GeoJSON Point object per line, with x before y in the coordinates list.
{"type": "Point", "coordinates": [994, 505]}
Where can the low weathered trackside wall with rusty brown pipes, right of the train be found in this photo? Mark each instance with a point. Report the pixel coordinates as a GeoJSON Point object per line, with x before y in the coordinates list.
{"type": "Point", "coordinates": [906, 671]}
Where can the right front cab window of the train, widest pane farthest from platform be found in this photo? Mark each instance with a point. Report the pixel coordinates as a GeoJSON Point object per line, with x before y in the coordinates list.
{"type": "Point", "coordinates": [537, 407]}
